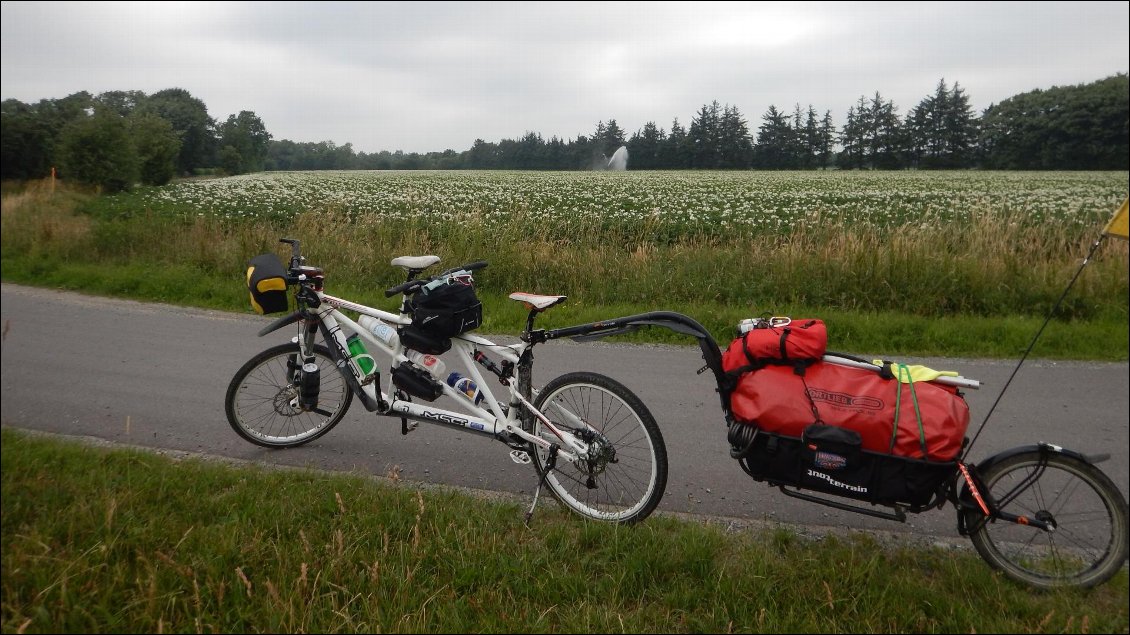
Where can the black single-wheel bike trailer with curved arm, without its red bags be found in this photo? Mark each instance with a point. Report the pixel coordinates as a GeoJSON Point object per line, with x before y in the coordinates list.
{"type": "Point", "coordinates": [1042, 515]}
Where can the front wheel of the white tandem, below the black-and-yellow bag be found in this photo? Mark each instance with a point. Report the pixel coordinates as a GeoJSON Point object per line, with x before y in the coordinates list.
{"type": "Point", "coordinates": [259, 401]}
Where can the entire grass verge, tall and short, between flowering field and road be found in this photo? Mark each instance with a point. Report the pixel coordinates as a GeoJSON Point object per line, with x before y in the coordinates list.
{"type": "Point", "coordinates": [979, 291]}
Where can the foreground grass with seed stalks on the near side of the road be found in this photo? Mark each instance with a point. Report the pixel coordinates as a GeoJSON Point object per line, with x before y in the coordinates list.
{"type": "Point", "coordinates": [129, 542]}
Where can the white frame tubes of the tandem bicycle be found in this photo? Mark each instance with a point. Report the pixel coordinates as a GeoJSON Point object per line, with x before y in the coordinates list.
{"type": "Point", "coordinates": [492, 420]}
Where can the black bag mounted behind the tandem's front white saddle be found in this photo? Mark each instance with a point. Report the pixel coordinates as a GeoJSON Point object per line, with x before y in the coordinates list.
{"type": "Point", "coordinates": [442, 309]}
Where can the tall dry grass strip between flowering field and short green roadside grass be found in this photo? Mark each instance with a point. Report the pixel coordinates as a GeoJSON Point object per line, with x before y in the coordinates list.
{"type": "Point", "coordinates": [992, 266]}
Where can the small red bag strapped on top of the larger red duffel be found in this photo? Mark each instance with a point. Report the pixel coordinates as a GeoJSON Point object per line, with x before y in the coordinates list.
{"type": "Point", "coordinates": [799, 344]}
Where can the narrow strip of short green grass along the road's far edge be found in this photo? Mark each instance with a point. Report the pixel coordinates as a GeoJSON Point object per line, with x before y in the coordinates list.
{"type": "Point", "coordinates": [888, 334]}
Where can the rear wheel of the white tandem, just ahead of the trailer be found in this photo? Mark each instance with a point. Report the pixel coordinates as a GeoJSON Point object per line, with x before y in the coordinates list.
{"type": "Point", "coordinates": [624, 475]}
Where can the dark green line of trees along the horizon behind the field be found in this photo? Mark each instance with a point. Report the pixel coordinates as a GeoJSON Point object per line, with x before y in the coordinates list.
{"type": "Point", "coordinates": [120, 138]}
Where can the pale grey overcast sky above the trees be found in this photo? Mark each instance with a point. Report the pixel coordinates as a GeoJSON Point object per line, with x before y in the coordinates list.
{"type": "Point", "coordinates": [422, 76]}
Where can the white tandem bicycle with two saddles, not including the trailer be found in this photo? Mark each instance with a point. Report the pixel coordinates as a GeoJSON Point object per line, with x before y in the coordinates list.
{"type": "Point", "coordinates": [592, 441]}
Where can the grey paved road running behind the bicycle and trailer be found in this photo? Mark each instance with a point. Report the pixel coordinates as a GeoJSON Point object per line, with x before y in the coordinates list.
{"type": "Point", "coordinates": [155, 376]}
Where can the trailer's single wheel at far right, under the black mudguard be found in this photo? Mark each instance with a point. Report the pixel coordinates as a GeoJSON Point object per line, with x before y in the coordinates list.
{"type": "Point", "coordinates": [1088, 543]}
